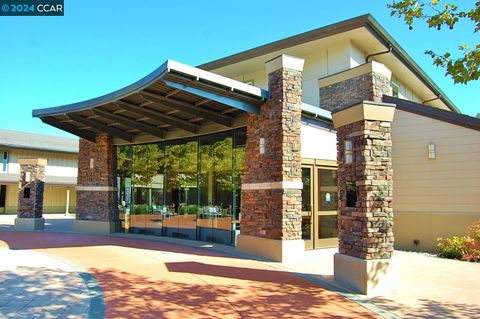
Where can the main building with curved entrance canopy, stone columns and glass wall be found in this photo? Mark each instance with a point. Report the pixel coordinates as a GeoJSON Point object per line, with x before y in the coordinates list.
{"type": "Point", "coordinates": [331, 137]}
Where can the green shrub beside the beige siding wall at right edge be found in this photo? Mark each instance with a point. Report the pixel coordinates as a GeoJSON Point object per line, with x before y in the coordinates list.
{"type": "Point", "coordinates": [465, 248]}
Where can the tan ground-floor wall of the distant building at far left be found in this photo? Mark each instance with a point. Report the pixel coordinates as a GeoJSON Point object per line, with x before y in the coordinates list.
{"type": "Point", "coordinates": [54, 201]}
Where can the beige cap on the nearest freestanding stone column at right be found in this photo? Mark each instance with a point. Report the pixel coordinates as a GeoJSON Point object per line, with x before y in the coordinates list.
{"type": "Point", "coordinates": [367, 110]}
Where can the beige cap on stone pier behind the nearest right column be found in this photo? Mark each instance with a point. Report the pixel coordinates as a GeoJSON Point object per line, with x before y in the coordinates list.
{"type": "Point", "coordinates": [369, 67]}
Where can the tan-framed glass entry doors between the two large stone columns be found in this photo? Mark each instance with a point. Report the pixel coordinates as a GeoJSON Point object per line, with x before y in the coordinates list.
{"type": "Point", "coordinates": [319, 206]}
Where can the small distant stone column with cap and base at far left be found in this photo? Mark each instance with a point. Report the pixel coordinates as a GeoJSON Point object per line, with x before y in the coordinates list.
{"type": "Point", "coordinates": [30, 194]}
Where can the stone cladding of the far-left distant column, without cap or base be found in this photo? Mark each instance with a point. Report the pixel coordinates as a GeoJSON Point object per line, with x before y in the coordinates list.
{"type": "Point", "coordinates": [31, 207]}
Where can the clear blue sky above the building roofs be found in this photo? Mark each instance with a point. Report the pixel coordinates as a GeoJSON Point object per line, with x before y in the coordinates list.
{"type": "Point", "coordinates": [102, 46]}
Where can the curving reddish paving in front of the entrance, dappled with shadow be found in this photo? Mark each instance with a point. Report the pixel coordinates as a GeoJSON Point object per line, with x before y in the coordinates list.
{"type": "Point", "coordinates": [149, 279]}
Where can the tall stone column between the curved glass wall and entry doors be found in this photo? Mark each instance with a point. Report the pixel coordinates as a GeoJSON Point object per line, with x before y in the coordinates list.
{"type": "Point", "coordinates": [271, 191]}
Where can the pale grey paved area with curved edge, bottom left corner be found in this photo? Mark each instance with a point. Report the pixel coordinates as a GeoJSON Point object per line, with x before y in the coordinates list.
{"type": "Point", "coordinates": [34, 285]}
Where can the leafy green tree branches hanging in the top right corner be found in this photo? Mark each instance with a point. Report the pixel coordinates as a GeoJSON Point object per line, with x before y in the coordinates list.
{"type": "Point", "coordinates": [464, 65]}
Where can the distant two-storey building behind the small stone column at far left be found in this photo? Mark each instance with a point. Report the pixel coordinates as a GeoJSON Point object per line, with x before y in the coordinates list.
{"type": "Point", "coordinates": [61, 170]}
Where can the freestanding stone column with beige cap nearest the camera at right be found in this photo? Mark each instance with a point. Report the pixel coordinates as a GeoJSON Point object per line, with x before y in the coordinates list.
{"type": "Point", "coordinates": [365, 230]}
